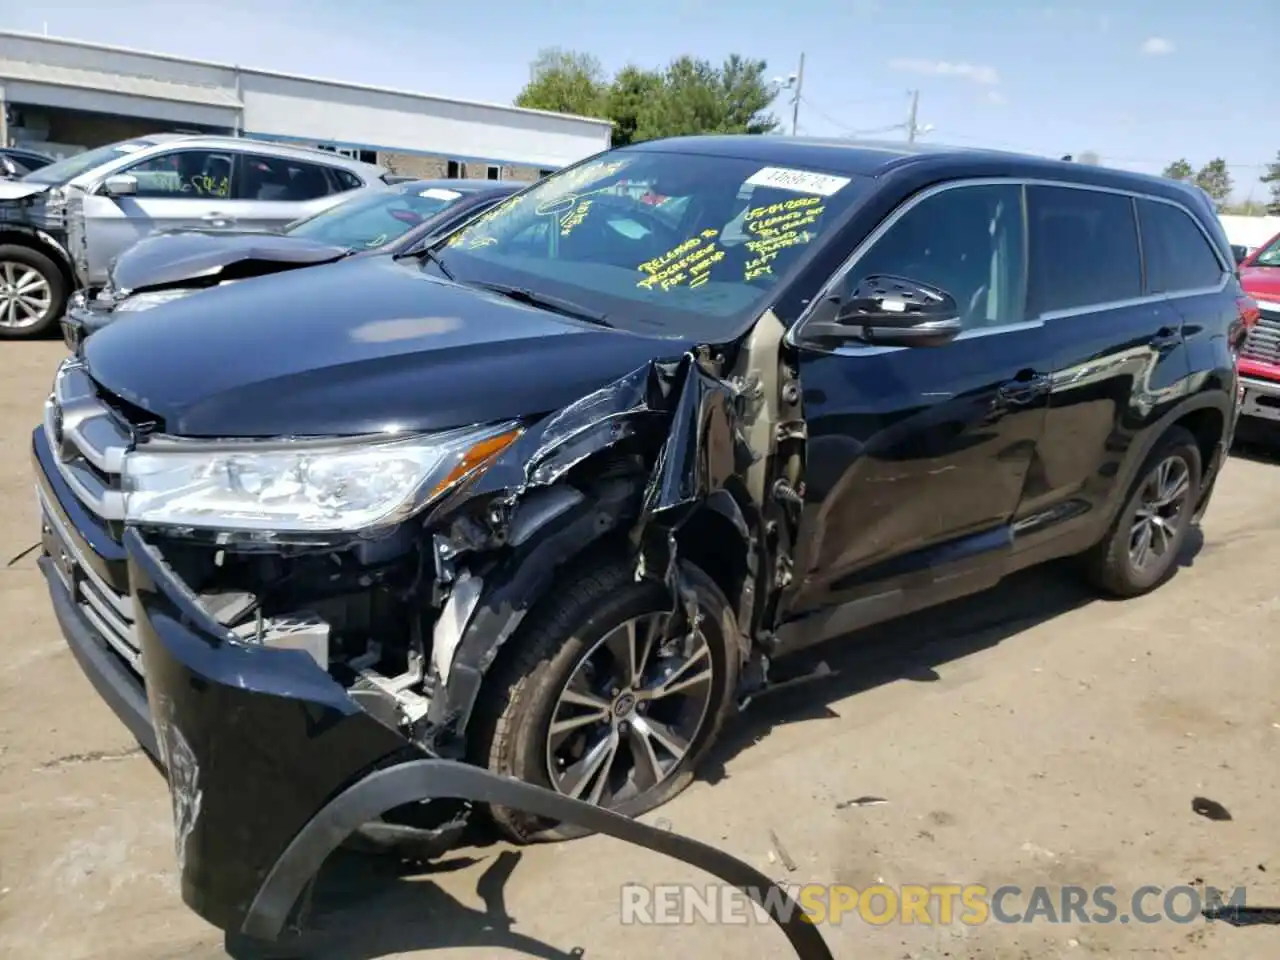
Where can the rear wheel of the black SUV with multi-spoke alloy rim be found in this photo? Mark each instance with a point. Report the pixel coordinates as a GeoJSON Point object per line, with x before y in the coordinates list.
{"type": "Point", "coordinates": [1142, 547]}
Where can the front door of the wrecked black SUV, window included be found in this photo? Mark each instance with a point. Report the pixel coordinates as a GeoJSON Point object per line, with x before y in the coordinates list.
{"type": "Point", "coordinates": [917, 458]}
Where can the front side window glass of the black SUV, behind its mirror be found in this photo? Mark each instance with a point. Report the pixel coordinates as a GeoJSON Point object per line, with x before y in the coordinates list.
{"type": "Point", "coordinates": [968, 241]}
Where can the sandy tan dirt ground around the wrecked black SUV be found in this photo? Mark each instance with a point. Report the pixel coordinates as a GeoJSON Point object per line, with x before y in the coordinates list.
{"type": "Point", "coordinates": [1030, 737]}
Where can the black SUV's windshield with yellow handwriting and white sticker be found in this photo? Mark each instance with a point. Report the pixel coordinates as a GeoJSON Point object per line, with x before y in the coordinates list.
{"type": "Point", "coordinates": [670, 244]}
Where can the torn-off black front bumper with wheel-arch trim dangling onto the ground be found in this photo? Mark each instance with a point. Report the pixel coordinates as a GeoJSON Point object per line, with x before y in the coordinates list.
{"type": "Point", "coordinates": [271, 765]}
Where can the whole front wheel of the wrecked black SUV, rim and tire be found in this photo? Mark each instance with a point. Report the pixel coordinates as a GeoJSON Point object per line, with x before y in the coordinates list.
{"type": "Point", "coordinates": [609, 697]}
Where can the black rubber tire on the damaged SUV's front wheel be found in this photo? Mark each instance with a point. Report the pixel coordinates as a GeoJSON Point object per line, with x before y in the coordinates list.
{"type": "Point", "coordinates": [520, 697]}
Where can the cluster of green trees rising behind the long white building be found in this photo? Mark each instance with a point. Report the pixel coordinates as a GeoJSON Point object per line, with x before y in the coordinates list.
{"type": "Point", "coordinates": [689, 97]}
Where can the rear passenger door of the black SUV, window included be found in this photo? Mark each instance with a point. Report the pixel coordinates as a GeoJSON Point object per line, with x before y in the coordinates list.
{"type": "Point", "coordinates": [1119, 353]}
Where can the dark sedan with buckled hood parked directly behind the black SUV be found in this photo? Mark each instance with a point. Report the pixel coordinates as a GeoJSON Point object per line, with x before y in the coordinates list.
{"type": "Point", "coordinates": [166, 267]}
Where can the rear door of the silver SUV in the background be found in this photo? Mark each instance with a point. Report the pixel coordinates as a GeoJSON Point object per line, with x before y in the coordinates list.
{"type": "Point", "coordinates": [275, 191]}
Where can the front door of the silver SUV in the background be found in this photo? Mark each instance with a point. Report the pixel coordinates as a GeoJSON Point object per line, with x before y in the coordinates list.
{"type": "Point", "coordinates": [179, 189]}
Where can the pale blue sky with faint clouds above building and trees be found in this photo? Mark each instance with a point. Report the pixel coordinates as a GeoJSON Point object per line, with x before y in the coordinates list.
{"type": "Point", "coordinates": [1140, 83]}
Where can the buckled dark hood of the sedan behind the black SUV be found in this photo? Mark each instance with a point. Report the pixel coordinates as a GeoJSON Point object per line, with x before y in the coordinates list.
{"type": "Point", "coordinates": [175, 259]}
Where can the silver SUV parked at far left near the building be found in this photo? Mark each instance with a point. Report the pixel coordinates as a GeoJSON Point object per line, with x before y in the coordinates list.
{"type": "Point", "coordinates": [66, 222]}
